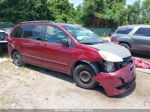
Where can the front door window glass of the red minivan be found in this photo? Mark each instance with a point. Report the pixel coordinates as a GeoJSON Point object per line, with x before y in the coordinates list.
{"type": "Point", "coordinates": [55, 35]}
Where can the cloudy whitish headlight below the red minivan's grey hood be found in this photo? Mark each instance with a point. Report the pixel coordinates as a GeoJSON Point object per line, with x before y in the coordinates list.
{"type": "Point", "coordinates": [110, 57]}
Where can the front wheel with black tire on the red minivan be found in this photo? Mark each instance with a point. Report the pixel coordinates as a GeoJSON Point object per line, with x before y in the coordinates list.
{"type": "Point", "coordinates": [83, 75]}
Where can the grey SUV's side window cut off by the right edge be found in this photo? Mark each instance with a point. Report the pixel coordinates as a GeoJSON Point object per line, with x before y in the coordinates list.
{"type": "Point", "coordinates": [143, 32]}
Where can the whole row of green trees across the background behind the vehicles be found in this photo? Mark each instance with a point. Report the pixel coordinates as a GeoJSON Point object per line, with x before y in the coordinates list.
{"type": "Point", "coordinates": [92, 13]}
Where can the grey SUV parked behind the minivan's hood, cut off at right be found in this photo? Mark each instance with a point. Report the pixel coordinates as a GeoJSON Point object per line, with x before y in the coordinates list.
{"type": "Point", "coordinates": [136, 38]}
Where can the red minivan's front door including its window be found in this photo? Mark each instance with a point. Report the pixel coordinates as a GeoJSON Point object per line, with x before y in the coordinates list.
{"type": "Point", "coordinates": [55, 55]}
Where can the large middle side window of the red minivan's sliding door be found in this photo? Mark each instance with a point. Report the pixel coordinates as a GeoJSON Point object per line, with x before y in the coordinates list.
{"type": "Point", "coordinates": [34, 31]}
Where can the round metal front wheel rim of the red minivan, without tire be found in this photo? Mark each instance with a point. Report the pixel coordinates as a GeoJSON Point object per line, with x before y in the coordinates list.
{"type": "Point", "coordinates": [85, 76]}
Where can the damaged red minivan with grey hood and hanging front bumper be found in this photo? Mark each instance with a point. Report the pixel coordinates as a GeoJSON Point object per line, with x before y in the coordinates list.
{"type": "Point", "coordinates": [73, 50]}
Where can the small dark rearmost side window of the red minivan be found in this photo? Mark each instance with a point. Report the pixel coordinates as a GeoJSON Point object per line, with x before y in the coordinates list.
{"type": "Point", "coordinates": [17, 32]}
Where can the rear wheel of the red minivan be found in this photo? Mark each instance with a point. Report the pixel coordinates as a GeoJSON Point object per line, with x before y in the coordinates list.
{"type": "Point", "coordinates": [17, 59]}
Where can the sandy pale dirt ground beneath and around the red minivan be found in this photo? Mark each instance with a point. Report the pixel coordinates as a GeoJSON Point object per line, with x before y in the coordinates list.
{"type": "Point", "coordinates": [31, 87]}
